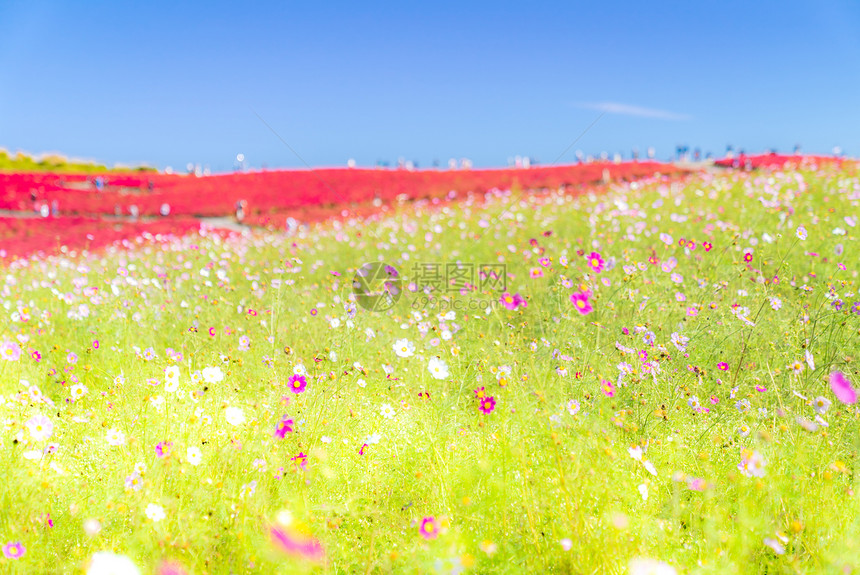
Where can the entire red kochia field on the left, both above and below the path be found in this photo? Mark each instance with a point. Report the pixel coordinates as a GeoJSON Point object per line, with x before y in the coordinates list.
{"type": "Point", "coordinates": [83, 216]}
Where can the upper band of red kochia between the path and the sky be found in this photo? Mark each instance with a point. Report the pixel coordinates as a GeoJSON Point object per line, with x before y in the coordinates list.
{"type": "Point", "coordinates": [281, 191]}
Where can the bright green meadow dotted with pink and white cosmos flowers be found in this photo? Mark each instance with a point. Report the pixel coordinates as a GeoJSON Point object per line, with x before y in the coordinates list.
{"type": "Point", "coordinates": [548, 384]}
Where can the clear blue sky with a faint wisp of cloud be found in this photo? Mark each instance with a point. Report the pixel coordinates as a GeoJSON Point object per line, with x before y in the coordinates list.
{"type": "Point", "coordinates": [167, 83]}
